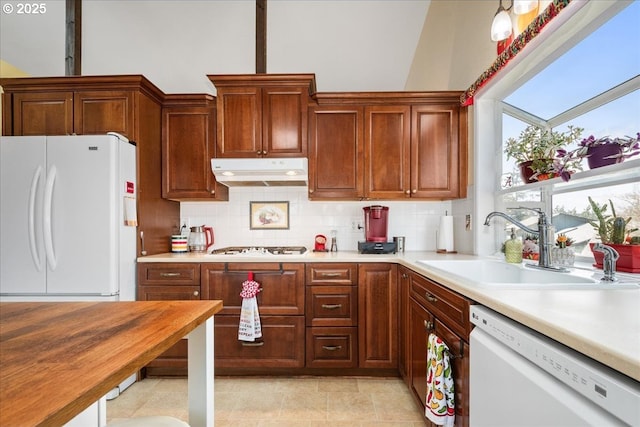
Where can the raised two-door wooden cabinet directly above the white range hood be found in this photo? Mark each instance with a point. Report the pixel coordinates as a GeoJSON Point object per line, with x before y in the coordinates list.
{"type": "Point", "coordinates": [262, 115]}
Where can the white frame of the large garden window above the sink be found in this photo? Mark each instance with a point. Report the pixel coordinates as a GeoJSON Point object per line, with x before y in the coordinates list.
{"type": "Point", "coordinates": [576, 22]}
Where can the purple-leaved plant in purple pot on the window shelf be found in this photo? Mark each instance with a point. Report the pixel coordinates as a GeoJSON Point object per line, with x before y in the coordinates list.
{"type": "Point", "coordinates": [603, 151]}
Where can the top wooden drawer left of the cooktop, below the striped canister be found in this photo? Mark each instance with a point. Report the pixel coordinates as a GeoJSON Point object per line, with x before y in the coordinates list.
{"type": "Point", "coordinates": [175, 274]}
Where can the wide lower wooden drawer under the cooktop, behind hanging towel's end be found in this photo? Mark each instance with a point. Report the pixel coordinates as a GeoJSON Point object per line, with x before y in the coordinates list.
{"type": "Point", "coordinates": [281, 345]}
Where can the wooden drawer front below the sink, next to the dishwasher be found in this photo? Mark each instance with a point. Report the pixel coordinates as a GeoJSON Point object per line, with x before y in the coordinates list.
{"type": "Point", "coordinates": [450, 307]}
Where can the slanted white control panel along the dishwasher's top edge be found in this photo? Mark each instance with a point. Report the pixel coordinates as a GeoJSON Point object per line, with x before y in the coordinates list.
{"type": "Point", "coordinates": [604, 386]}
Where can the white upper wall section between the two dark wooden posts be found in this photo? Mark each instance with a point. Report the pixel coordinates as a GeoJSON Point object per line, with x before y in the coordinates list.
{"type": "Point", "coordinates": [175, 44]}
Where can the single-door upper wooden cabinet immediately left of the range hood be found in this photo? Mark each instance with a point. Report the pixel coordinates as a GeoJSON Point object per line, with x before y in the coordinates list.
{"type": "Point", "coordinates": [188, 144]}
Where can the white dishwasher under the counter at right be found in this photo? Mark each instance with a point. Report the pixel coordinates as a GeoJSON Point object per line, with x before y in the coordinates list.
{"type": "Point", "coordinates": [519, 377]}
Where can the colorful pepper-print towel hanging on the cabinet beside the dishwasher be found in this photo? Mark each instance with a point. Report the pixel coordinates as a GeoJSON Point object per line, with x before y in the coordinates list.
{"type": "Point", "coordinates": [440, 405]}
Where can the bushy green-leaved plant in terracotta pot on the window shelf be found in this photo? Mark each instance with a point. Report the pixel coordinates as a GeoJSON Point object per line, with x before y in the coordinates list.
{"type": "Point", "coordinates": [536, 148]}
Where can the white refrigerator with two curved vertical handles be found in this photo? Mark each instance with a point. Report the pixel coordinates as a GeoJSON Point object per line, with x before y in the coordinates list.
{"type": "Point", "coordinates": [68, 223]}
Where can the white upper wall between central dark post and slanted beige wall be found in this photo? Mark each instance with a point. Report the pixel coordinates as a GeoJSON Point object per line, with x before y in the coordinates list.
{"type": "Point", "coordinates": [350, 45]}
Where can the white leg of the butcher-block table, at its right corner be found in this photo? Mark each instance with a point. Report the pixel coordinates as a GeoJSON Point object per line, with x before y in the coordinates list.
{"type": "Point", "coordinates": [200, 379]}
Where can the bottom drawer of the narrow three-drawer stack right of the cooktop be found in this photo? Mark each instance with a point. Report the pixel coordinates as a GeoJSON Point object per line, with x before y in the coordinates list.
{"type": "Point", "coordinates": [332, 347]}
